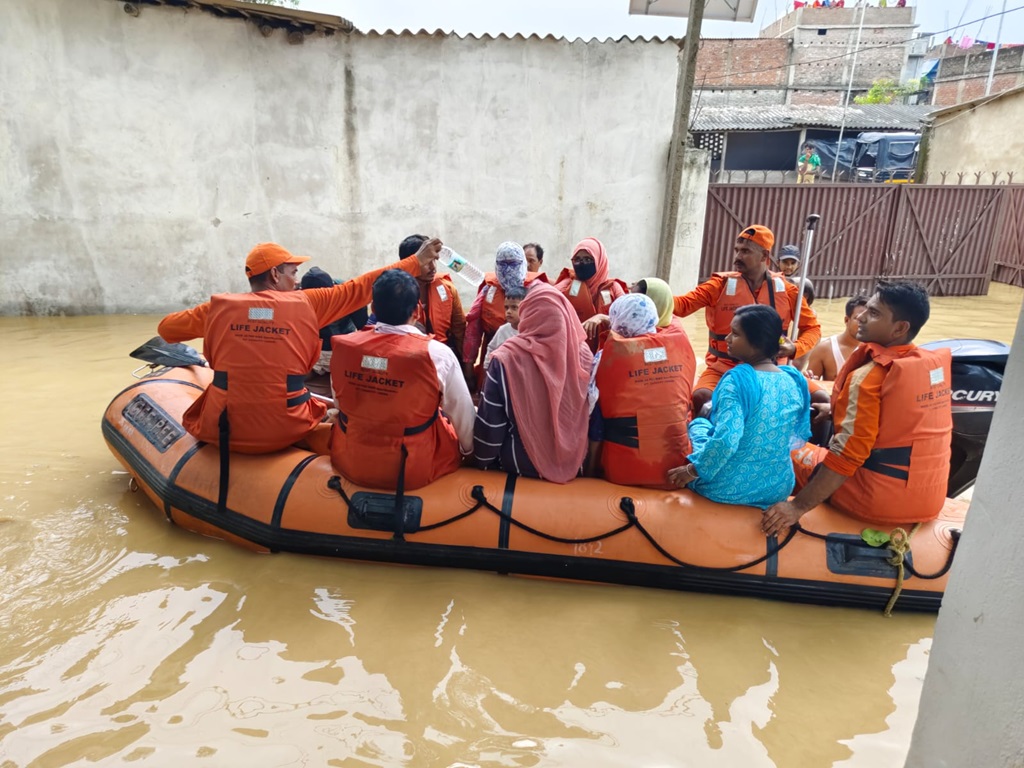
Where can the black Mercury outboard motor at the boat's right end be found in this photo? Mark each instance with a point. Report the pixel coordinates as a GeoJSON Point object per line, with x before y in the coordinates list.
{"type": "Point", "coordinates": [977, 376]}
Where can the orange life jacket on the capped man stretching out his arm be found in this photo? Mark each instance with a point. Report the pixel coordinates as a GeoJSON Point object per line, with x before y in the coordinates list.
{"type": "Point", "coordinates": [261, 347]}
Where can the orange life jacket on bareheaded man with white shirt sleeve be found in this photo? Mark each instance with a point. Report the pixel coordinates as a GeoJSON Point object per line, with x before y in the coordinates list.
{"type": "Point", "coordinates": [390, 402]}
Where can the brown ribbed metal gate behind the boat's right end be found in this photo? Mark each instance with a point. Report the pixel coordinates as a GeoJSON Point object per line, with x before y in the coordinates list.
{"type": "Point", "coordinates": [944, 237]}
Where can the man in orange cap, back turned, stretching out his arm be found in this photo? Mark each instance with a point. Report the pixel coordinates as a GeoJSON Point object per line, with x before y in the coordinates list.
{"type": "Point", "coordinates": [262, 346]}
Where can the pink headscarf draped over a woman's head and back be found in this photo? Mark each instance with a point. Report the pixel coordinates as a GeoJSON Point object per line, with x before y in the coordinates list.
{"type": "Point", "coordinates": [547, 368]}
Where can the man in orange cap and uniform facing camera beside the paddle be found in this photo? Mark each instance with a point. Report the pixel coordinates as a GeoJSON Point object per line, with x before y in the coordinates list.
{"type": "Point", "coordinates": [752, 283]}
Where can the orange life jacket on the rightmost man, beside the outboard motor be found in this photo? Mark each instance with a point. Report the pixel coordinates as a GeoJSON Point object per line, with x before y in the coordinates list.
{"type": "Point", "coordinates": [905, 479]}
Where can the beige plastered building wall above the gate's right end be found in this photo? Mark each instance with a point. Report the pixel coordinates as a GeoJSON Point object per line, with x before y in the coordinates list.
{"type": "Point", "coordinates": [987, 140]}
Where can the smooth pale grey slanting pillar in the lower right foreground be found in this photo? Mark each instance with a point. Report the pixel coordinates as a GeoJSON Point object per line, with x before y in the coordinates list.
{"type": "Point", "coordinates": [972, 706]}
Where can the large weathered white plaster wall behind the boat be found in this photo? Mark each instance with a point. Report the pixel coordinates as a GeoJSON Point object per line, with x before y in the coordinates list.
{"type": "Point", "coordinates": [142, 157]}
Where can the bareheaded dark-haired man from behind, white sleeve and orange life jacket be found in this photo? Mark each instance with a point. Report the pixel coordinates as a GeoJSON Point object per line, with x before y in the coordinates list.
{"type": "Point", "coordinates": [405, 414]}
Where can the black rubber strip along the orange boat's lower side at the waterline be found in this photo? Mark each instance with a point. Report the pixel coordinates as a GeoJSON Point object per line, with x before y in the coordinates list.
{"type": "Point", "coordinates": [503, 561]}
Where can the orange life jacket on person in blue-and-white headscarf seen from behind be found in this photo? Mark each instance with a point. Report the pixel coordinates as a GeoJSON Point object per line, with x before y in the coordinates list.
{"type": "Point", "coordinates": [646, 385]}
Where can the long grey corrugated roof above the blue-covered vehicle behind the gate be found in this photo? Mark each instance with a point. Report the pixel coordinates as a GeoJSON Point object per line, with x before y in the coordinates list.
{"type": "Point", "coordinates": [860, 117]}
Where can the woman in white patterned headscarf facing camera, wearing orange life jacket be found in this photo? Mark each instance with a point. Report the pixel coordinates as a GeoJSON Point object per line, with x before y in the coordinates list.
{"type": "Point", "coordinates": [488, 313]}
